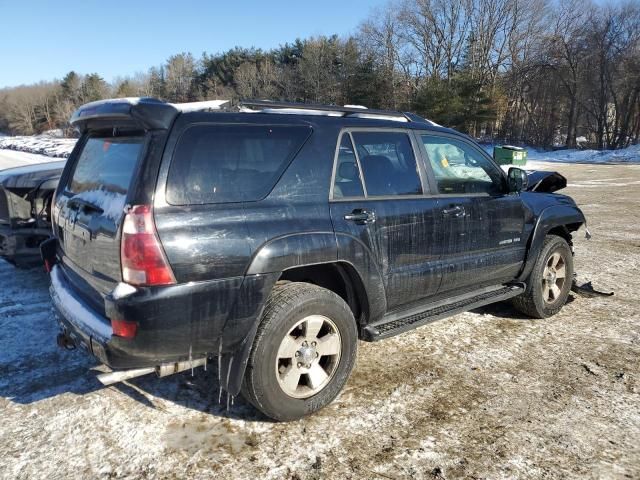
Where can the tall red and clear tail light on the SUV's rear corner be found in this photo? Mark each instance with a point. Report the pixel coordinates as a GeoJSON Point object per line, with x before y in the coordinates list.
{"type": "Point", "coordinates": [143, 260]}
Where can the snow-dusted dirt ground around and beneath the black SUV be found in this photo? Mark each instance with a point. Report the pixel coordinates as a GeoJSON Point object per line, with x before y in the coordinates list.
{"type": "Point", "coordinates": [486, 394]}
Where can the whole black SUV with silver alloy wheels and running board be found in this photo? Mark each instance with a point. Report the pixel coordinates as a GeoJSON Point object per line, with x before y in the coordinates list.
{"type": "Point", "coordinates": [274, 236]}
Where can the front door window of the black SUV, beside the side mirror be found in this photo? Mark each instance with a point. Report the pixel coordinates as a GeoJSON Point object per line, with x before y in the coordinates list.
{"type": "Point", "coordinates": [459, 168]}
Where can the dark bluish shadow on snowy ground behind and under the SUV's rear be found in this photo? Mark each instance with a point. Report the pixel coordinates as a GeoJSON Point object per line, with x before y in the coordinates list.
{"type": "Point", "coordinates": [34, 368]}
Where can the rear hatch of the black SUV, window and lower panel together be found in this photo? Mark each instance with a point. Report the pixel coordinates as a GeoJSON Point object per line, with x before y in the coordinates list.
{"type": "Point", "coordinates": [90, 209]}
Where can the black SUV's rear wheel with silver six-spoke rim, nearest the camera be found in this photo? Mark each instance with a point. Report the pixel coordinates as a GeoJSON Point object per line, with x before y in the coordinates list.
{"type": "Point", "coordinates": [279, 355]}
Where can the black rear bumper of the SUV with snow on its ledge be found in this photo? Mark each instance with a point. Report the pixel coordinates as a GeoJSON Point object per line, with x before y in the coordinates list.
{"type": "Point", "coordinates": [174, 322]}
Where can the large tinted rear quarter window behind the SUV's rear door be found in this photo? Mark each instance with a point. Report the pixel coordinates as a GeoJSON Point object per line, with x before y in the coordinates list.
{"type": "Point", "coordinates": [230, 163]}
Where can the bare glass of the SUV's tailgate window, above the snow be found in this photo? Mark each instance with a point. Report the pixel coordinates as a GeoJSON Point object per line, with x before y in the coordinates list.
{"type": "Point", "coordinates": [106, 164]}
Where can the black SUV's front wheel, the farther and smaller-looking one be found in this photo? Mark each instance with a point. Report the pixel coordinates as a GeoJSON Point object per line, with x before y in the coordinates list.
{"type": "Point", "coordinates": [540, 299]}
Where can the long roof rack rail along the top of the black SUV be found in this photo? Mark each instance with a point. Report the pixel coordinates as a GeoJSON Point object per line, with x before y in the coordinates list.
{"type": "Point", "coordinates": [347, 111]}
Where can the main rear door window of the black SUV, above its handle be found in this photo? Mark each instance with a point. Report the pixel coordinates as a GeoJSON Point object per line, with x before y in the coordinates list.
{"type": "Point", "coordinates": [388, 163]}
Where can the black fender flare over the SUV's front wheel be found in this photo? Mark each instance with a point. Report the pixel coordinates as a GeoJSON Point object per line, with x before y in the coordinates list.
{"type": "Point", "coordinates": [549, 218]}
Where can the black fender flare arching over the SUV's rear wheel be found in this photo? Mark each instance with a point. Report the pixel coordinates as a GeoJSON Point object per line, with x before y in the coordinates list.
{"type": "Point", "coordinates": [267, 264]}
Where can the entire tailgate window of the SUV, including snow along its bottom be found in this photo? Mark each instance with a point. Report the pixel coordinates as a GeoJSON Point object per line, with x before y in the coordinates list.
{"type": "Point", "coordinates": [104, 170]}
